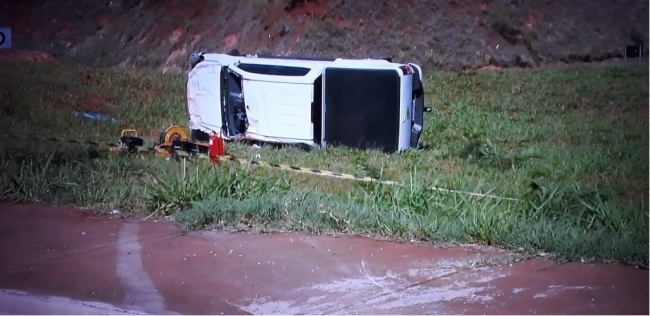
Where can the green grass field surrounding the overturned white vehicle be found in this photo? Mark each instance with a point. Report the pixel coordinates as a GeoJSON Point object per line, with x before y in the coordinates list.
{"type": "Point", "coordinates": [571, 144]}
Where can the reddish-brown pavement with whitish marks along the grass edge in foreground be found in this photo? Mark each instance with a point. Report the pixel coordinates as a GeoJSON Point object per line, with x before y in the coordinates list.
{"type": "Point", "coordinates": [75, 261]}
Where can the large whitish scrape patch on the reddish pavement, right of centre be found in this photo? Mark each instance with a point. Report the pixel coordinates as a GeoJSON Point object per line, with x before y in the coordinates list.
{"type": "Point", "coordinates": [383, 294]}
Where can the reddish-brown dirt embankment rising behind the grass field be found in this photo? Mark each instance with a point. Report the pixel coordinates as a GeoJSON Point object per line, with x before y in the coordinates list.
{"type": "Point", "coordinates": [450, 35]}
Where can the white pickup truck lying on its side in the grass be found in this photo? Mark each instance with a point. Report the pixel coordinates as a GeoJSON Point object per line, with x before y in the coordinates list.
{"type": "Point", "coordinates": [364, 103]}
